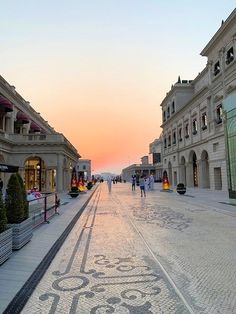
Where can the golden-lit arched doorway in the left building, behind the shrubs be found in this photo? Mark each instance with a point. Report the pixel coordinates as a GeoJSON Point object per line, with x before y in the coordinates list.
{"type": "Point", "coordinates": [35, 174]}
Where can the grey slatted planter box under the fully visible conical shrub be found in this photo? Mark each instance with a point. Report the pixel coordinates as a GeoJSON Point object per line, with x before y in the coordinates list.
{"type": "Point", "coordinates": [21, 233]}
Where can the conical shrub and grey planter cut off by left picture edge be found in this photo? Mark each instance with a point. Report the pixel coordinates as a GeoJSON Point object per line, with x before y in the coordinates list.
{"type": "Point", "coordinates": [5, 234]}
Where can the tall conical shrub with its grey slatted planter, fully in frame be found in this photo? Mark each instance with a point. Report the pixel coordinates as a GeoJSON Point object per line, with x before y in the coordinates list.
{"type": "Point", "coordinates": [17, 212]}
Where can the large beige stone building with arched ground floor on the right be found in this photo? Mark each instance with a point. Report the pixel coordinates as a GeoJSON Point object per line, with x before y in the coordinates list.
{"type": "Point", "coordinates": [193, 126]}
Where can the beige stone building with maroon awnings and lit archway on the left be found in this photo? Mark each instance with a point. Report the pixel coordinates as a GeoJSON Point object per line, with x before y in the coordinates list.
{"type": "Point", "coordinates": [44, 157]}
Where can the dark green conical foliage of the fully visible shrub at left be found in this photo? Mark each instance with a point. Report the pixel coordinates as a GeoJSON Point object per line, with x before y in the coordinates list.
{"type": "Point", "coordinates": [14, 201]}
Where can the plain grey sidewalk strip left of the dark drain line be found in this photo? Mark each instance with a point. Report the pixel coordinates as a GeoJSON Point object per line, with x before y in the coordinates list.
{"type": "Point", "coordinates": [17, 270]}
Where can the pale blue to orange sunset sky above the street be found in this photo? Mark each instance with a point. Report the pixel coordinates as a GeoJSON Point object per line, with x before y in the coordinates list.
{"type": "Point", "coordinates": [98, 70]}
